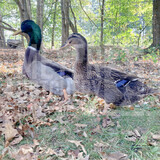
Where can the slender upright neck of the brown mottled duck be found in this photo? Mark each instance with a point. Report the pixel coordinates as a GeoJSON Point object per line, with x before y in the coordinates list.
{"type": "Point", "coordinates": [82, 55]}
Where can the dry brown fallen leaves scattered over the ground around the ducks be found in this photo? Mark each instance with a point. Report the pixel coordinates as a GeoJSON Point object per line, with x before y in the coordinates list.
{"type": "Point", "coordinates": [21, 100]}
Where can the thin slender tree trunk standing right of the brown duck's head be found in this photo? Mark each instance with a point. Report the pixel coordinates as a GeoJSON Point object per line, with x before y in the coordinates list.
{"type": "Point", "coordinates": [102, 23]}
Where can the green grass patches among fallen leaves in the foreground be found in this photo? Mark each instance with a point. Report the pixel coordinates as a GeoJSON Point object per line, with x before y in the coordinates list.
{"type": "Point", "coordinates": [143, 119]}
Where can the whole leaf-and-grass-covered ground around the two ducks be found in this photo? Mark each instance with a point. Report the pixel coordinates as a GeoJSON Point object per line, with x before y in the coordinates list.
{"type": "Point", "coordinates": [31, 128]}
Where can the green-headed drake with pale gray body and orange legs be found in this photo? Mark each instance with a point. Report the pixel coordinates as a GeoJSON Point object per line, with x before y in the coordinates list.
{"type": "Point", "coordinates": [50, 75]}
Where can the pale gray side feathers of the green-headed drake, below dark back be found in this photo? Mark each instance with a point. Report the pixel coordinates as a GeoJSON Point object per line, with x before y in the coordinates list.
{"type": "Point", "coordinates": [46, 77]}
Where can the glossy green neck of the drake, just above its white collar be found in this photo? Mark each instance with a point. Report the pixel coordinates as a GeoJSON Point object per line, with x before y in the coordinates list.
{"type": "Point", "coordinates": [35, 39]}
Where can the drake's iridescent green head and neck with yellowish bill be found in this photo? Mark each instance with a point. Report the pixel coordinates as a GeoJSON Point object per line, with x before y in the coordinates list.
{"type": "Point", "coordinates": [33, 30]}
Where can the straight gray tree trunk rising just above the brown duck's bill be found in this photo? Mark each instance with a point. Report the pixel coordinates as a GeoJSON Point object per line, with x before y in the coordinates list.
{"type": "Point", "coordinates": [65, 19]}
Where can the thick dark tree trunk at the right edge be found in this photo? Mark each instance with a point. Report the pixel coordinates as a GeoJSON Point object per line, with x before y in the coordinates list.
{"type": "Point", "coordinates": [156, 23]}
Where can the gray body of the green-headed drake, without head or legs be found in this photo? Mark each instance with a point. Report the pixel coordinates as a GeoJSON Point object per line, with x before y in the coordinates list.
{"type": "Point", "coordinates": [44, 72]}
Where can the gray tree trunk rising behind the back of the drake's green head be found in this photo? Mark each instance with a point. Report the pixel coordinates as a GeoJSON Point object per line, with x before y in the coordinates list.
{"type": "Point", "coordinates": [40, 8]}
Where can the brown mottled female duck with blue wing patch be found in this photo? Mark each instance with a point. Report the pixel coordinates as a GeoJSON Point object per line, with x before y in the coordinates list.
{"type": "Point", "coordinates": [113, 86]}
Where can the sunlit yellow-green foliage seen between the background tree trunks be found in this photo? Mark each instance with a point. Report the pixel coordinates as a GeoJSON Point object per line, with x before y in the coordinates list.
{"type": "Point", "coordinates": [126, 22]}
